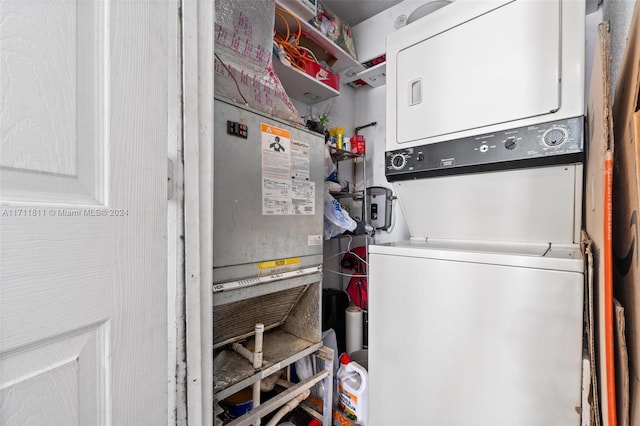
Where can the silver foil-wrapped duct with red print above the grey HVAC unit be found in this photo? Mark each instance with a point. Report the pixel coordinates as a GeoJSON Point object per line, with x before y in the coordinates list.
{"type": "Point", "coordinates": [243, 55]}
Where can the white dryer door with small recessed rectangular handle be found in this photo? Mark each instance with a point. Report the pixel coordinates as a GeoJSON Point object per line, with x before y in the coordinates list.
{"type": "Point", "coordinates": [500, 66]}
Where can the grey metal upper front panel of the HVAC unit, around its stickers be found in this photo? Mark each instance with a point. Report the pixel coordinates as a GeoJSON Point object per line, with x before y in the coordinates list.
{"type": "Point", "coordinates": [244, 234]}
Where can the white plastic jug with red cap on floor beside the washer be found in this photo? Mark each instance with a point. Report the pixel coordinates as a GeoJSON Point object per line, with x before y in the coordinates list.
{"type": "Point", "coordinates": [353, 390]}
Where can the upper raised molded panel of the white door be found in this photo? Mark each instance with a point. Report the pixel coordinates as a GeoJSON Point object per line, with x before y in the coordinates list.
{"type": "Point", "coordinates": [55, 104]}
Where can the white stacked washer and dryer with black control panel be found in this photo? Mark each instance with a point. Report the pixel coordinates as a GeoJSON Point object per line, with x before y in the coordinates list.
{"type": "Point", "coordinates": [477, 319]}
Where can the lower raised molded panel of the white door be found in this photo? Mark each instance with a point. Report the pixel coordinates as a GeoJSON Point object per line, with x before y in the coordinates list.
{"type": "Point", "coordinates": [64, 379]}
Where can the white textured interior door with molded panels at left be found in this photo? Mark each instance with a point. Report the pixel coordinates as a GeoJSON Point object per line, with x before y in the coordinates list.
{"type": "Point", "coordinates": [83, 168]}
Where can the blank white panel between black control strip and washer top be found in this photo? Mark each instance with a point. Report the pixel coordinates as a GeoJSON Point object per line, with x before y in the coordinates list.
{"type": "Point", "coordinates": [498, 206]}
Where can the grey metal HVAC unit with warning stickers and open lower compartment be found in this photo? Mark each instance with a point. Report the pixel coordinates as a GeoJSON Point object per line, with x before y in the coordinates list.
{"type": "Point", "coordinates": [267, 254]}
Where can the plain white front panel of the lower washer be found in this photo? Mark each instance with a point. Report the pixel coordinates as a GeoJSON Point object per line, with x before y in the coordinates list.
{"type": "Point", "coordinates": [461, 343]}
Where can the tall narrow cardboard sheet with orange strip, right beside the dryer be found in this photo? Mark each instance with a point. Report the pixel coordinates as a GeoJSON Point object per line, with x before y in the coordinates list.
{"type": "Point", "coordinates": [598, 199]}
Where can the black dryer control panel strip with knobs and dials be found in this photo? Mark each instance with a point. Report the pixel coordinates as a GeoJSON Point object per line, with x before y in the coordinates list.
{"type": "Point", "coordinates": [557, 142]}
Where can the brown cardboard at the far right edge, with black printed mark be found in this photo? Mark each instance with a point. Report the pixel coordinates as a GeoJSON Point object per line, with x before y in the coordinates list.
{"type": "Point", "coordinates": [626, 193]}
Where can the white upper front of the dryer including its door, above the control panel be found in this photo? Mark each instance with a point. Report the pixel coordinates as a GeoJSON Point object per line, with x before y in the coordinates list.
{"type": "Point", "coordinates": [483, 89]}
